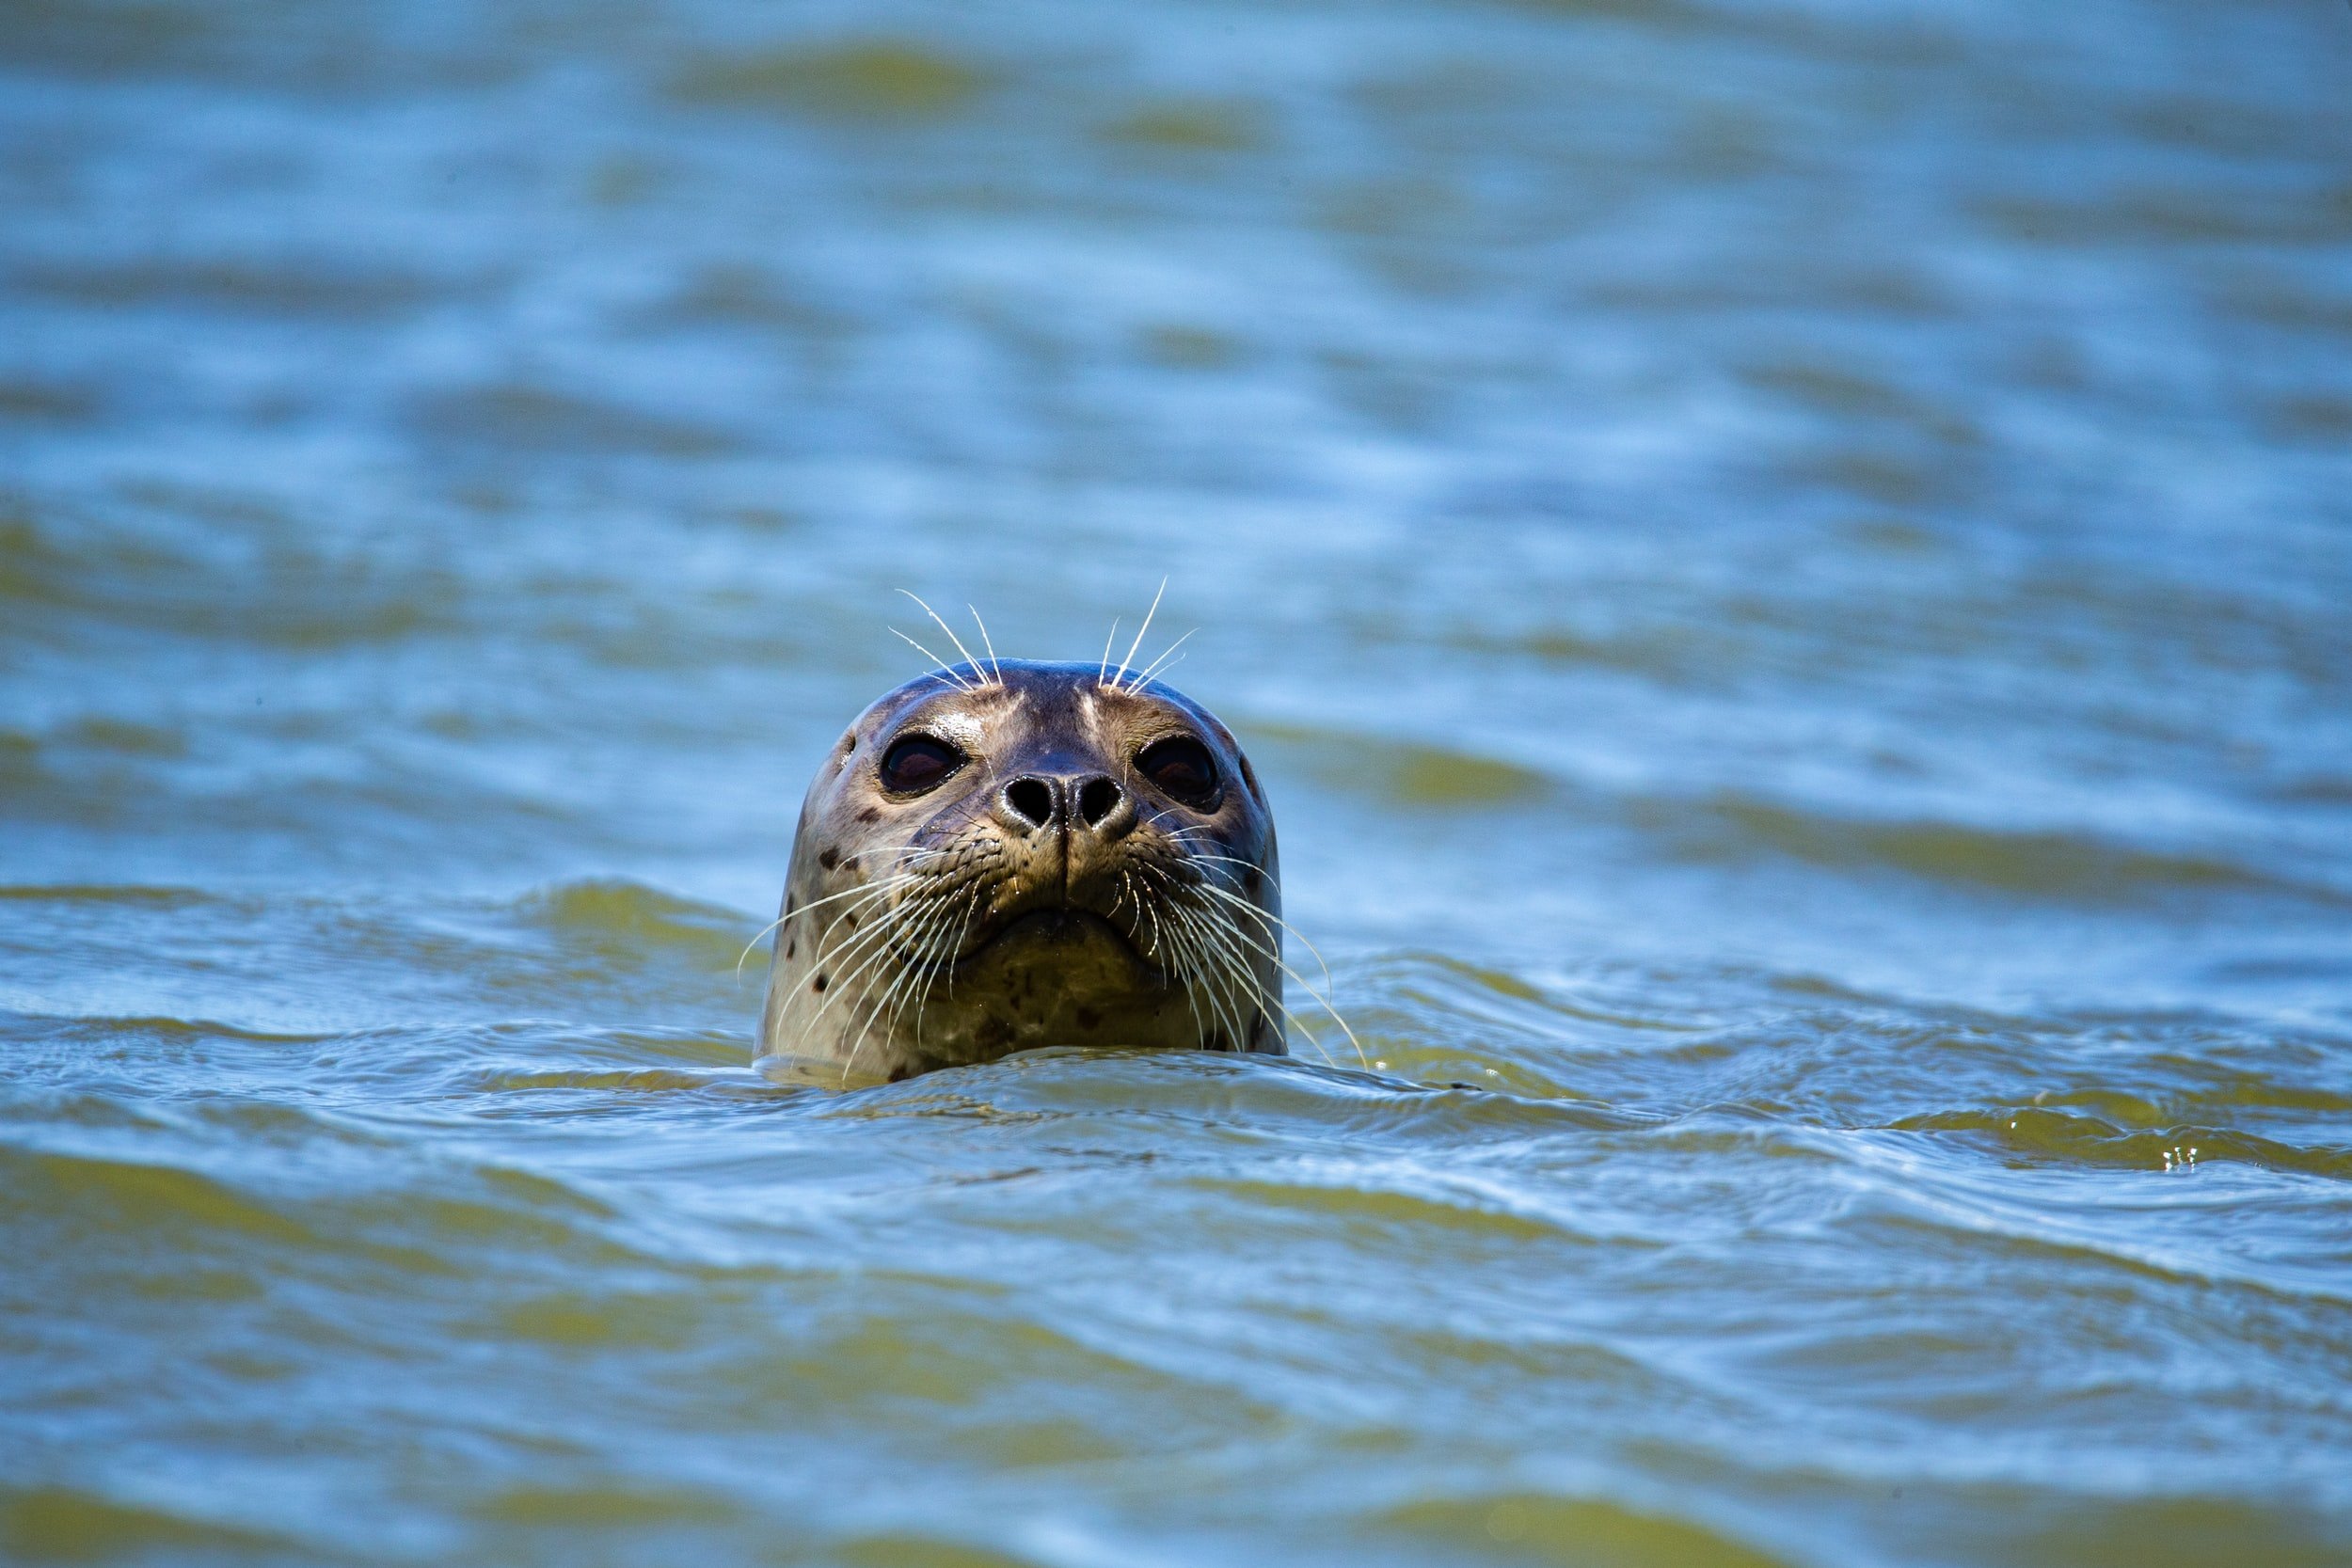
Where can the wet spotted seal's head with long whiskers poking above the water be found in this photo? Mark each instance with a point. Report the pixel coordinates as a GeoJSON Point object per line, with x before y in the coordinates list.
{"type": "Point", "coordinates": [1027, 855]}
